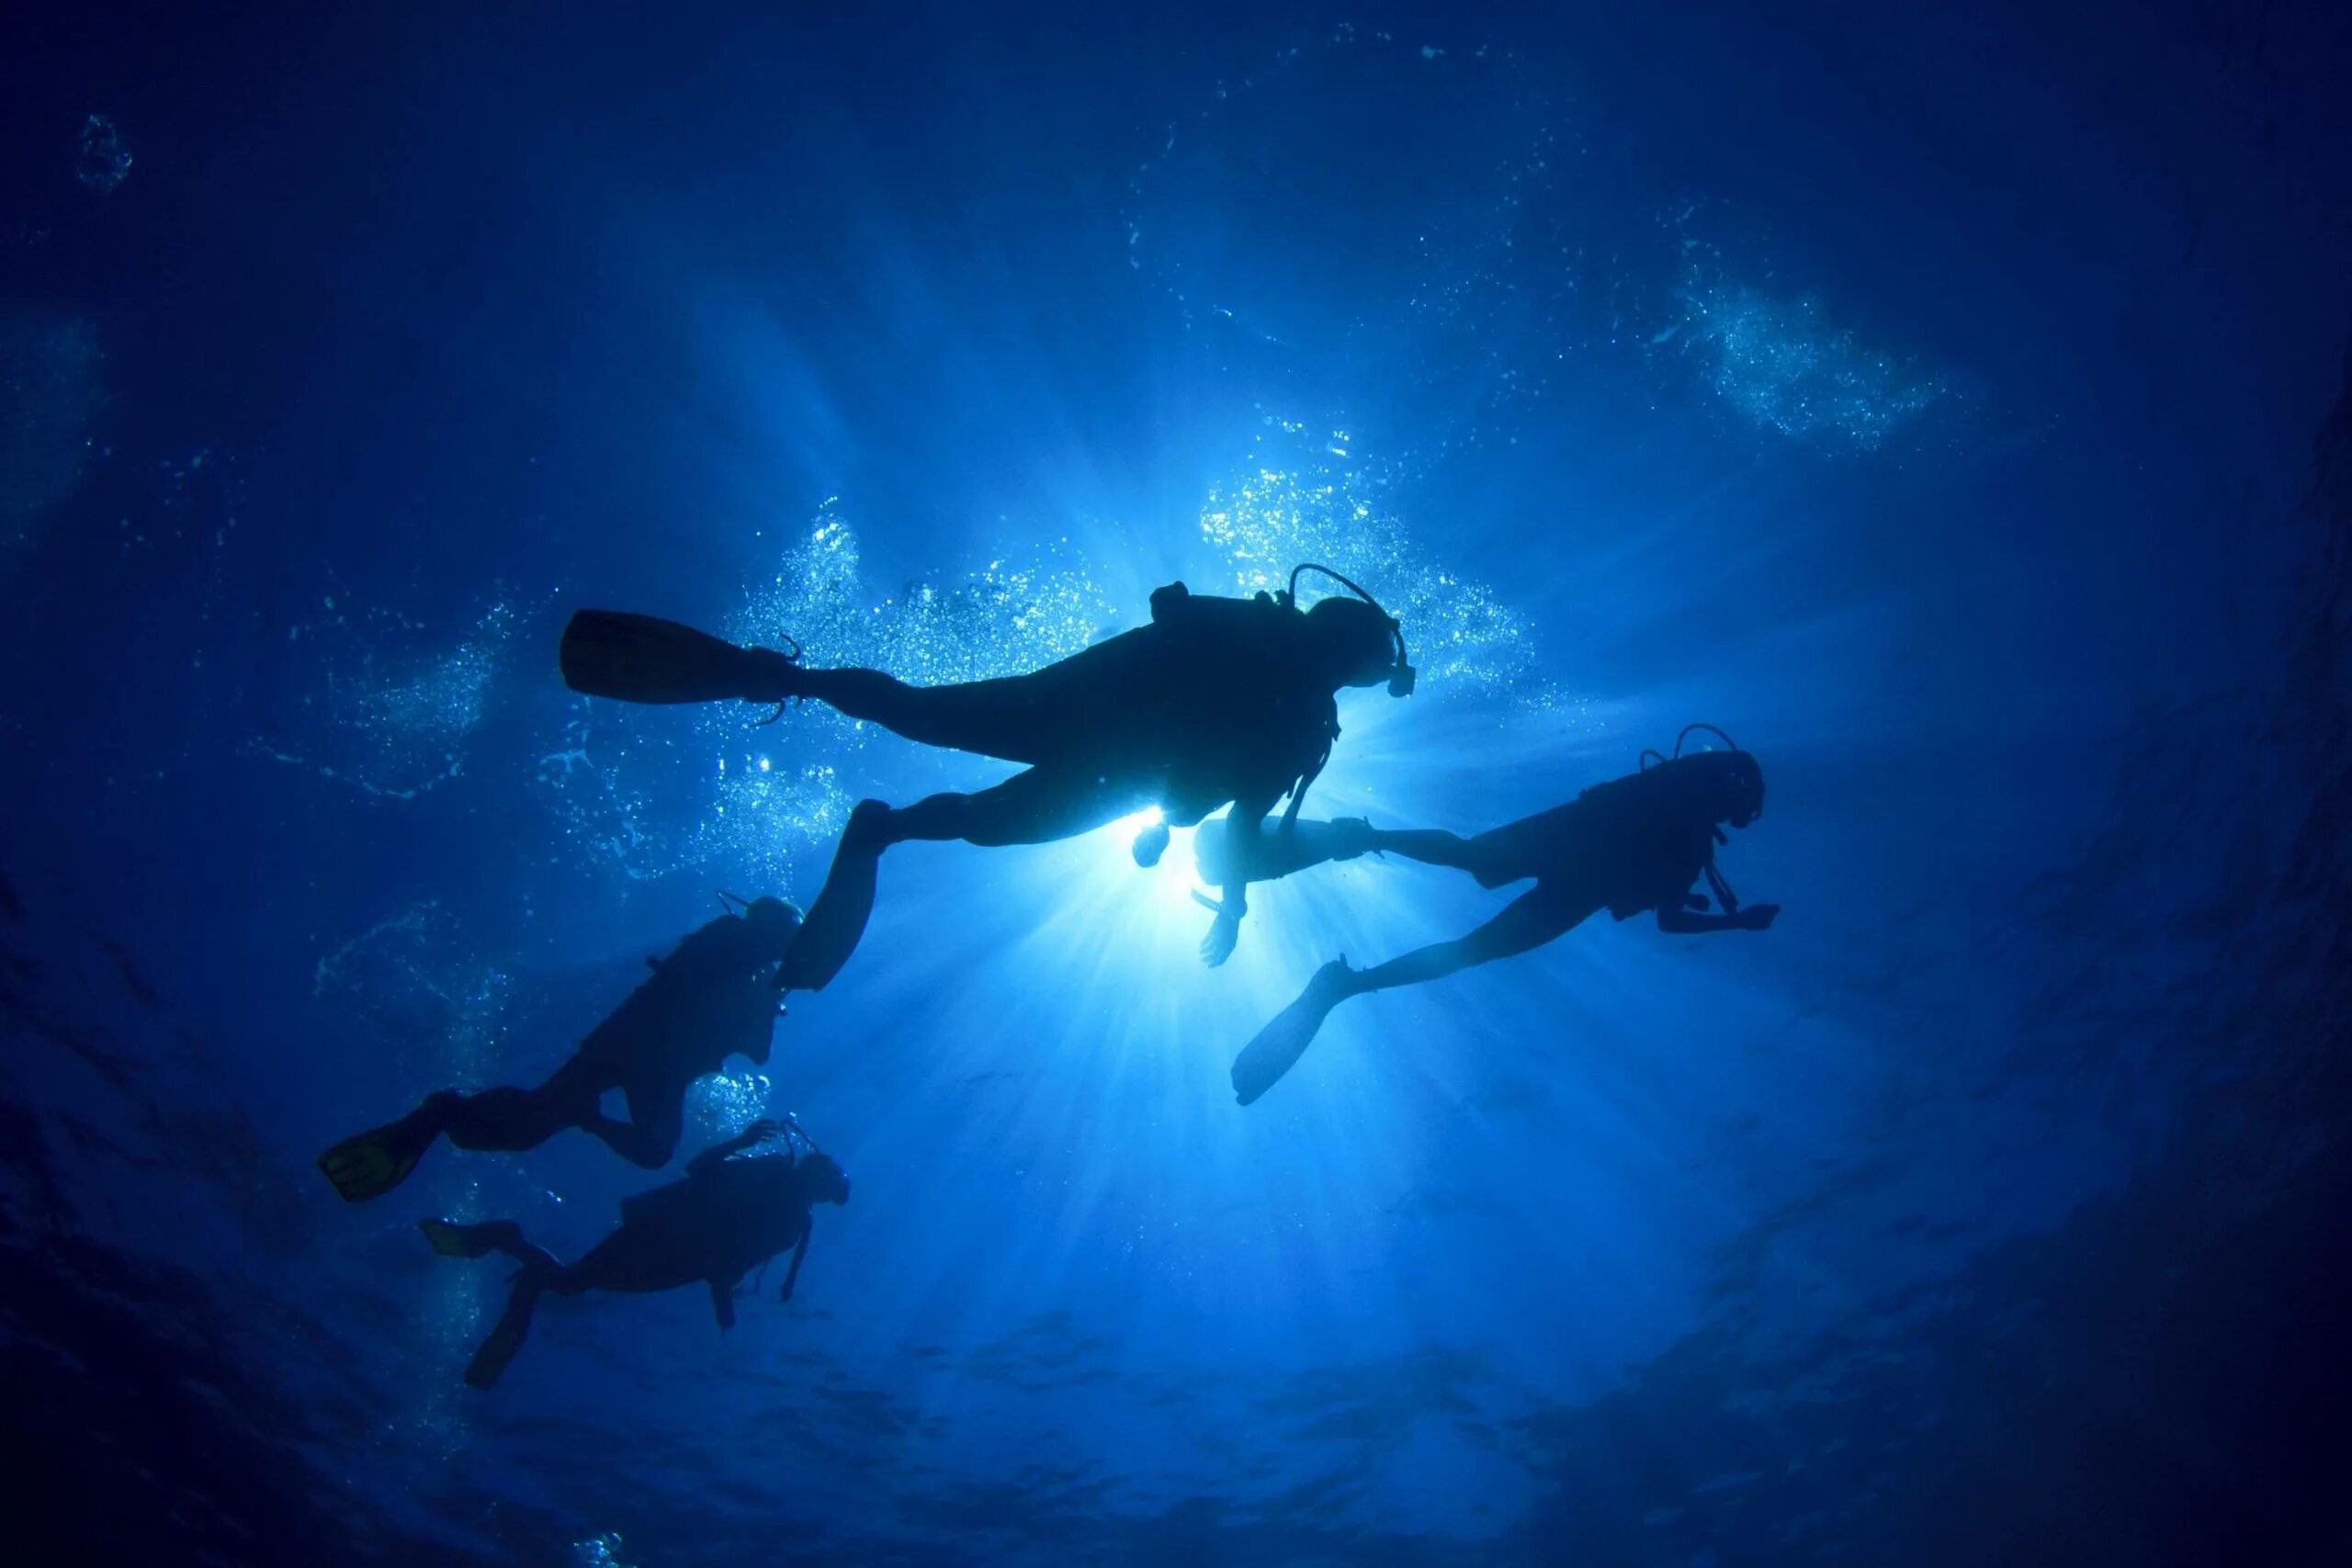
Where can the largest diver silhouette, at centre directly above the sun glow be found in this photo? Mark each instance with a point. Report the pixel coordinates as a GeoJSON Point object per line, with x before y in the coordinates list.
{"type": "Point", "coordinates": [1217, 702]}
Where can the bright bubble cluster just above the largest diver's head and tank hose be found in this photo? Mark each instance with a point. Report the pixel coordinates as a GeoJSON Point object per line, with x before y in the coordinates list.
{"type": "Point", "coordinates": [1314, 509]}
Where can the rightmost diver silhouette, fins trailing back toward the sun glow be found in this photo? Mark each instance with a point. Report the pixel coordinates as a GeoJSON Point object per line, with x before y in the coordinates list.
{"type": "Point", "coordinates": [1626, 847]}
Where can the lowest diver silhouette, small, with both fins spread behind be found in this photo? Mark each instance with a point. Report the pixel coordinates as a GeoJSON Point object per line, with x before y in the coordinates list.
{"type": "Point", "coordinates": [714, 1228]}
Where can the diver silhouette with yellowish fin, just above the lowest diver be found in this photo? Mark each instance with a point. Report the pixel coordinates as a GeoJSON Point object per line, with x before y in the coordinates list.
{"type": "Point", "coordinates": [716, 996]}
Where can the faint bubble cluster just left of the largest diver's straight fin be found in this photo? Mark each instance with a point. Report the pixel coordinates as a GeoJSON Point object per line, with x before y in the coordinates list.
{"type": "Point", "coordinates": [387, 723]}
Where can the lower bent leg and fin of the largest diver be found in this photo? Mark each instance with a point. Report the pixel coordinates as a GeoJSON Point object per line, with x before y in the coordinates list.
{"type": "Point", "coordinates": [1034, 808]}
